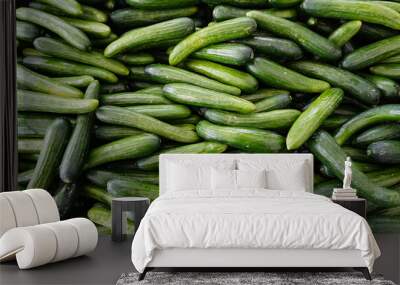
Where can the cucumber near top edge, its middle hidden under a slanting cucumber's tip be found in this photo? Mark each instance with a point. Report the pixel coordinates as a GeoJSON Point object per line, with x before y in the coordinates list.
{"type": "Point", "coordinates": [222, 12]}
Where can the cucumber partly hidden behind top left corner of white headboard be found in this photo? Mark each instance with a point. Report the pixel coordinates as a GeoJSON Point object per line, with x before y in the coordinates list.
{"type": "Point", "coordinates": [151, 162]}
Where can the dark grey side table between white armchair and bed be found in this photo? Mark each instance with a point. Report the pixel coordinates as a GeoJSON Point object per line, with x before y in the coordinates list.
{"type": "Point", "coordinates": [119, 206]}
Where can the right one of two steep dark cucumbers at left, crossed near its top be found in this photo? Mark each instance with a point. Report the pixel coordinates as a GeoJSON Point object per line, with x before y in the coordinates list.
{"type": "Point", "coordinates": [78, 145]}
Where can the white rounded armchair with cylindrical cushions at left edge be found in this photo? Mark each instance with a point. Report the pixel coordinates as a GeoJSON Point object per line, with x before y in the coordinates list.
{"type": "Point", "coordinates": [31, 231]}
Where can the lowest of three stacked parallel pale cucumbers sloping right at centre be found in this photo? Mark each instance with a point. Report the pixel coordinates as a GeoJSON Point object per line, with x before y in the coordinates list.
{"type": "Point", "coordinates": [197, 96]}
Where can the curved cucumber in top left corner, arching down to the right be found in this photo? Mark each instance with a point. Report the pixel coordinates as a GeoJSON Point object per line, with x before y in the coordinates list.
{"type": "Point", "coordinates": [69, 33]}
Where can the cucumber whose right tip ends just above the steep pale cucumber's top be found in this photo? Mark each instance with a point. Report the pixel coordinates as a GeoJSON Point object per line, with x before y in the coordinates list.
{"type": "Point", "coordinates": [270, 73]}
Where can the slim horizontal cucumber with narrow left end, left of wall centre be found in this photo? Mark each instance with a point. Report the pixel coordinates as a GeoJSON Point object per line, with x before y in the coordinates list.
{"type": "Point", "coordinates": [163, 112]}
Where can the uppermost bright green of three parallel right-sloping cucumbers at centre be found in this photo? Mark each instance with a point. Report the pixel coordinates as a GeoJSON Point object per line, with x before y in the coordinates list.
{"type": "Point", "coordinates": [242, 80]}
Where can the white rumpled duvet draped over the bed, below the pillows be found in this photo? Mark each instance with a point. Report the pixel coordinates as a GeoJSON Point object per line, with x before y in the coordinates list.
{"type": "Point", "coordinates": [256, 218]}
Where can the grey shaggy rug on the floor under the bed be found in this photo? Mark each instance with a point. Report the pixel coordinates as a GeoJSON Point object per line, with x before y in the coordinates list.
{"type": "Point", "coordinates": [253, 278]}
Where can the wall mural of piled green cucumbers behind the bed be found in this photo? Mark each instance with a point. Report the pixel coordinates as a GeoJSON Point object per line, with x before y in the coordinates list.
{"type": "Point", "coordinates": [105, 86]}
